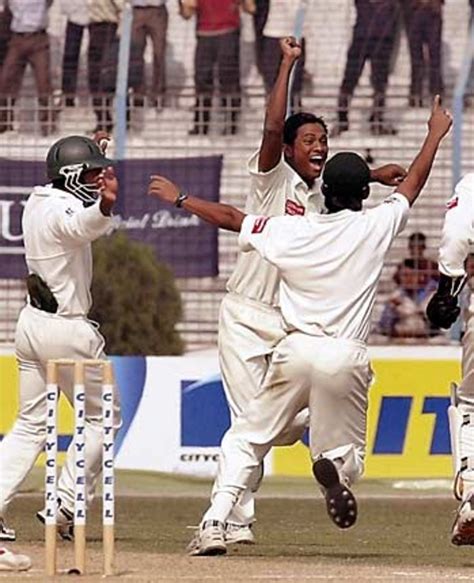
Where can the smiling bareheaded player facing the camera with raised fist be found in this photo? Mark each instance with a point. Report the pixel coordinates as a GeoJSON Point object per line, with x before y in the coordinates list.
{"type": "Point", "coordinates": [284, 181]}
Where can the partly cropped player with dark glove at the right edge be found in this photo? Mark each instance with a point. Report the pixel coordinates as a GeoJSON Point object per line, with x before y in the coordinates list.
{"type": "Point", "coordinates": [443, 310]}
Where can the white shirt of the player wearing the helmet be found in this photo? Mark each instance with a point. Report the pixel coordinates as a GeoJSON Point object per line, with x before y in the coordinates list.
{"type": "Point", "coordinates": [58, 232]}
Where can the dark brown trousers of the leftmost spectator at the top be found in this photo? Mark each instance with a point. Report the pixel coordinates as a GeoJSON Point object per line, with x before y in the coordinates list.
{"type": "Point", "coordinates": [26, 49]}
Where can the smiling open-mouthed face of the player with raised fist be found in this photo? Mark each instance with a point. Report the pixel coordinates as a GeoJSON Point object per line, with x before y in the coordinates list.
{"type": "Point", "coordinates": [308, 153]}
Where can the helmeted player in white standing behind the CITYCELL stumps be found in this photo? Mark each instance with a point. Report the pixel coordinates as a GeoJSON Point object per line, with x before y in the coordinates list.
{"type": "Point", "coordinates": [59, 222]}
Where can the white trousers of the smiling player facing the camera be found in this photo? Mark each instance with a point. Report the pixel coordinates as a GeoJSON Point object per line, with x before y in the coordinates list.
{"type": "Point", "coordinates": [248, 333]}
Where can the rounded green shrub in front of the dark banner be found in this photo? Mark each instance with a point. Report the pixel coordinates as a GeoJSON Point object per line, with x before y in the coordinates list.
{"type": "Point", "coordinates": [135, 299]}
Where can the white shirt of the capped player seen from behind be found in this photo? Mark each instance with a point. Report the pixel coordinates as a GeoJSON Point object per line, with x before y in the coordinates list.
{"type": "Point", "coordinates": [329, 264]}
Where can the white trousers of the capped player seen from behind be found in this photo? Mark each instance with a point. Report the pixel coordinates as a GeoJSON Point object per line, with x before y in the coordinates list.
{"type": "Point", "coordinates": [330, 375]}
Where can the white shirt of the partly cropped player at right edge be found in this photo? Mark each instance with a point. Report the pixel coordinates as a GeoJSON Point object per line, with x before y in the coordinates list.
{"type": "Point", "coordinates": [458, 228]}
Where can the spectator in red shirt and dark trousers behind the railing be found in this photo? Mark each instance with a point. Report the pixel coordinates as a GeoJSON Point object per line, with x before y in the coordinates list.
{"type": "Point", "coordinates": [218, 45]}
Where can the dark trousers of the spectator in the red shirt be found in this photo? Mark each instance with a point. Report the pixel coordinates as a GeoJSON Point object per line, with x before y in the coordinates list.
{"type": "Point", "coordinates": [220, 53]}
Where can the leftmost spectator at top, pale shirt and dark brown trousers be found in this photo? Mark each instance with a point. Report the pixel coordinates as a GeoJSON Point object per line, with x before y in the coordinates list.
{"type": "Point", "coordinates": [29, 44]}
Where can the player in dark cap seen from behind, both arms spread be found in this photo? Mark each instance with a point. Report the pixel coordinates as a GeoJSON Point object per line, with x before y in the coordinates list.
{"type": "Point", "coordinates": [329, 265]}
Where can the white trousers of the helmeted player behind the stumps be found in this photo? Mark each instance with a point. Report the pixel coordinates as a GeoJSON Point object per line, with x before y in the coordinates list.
{"type": "Point", "coordinates": [40, 337]}
